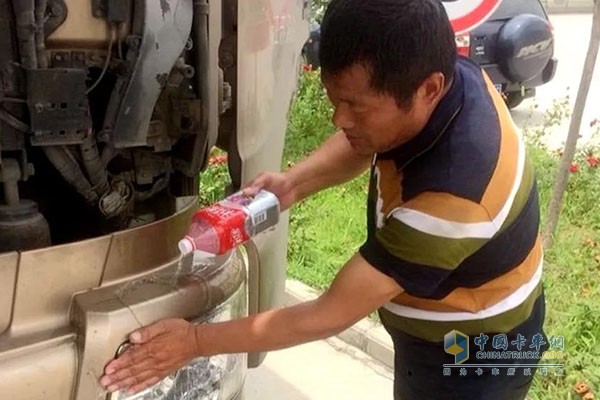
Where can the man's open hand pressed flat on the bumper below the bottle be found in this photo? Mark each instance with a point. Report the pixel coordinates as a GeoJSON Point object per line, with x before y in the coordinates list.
{"type": "Point", "coordinates": [157, 351]}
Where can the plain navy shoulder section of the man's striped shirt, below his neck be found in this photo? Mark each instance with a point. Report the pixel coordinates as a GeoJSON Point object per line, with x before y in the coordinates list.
{"type": "Point", "coordinates": [465, 157]}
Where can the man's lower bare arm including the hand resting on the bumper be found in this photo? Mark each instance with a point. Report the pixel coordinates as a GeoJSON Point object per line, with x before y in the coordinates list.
{"type": "Point", "coordinates": [160, 349]}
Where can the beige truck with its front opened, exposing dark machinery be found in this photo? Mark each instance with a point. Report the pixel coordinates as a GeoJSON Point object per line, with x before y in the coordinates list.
{"type": "Point", "coordinates": [109, 110]}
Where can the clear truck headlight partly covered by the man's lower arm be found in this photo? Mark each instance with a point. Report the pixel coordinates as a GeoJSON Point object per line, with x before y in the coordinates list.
{"type": "Point", "coordinates": [214, 378]}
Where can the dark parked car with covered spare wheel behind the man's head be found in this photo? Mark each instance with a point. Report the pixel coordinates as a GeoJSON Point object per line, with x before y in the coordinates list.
{"type": "Point", "coordinates": [515, 46]}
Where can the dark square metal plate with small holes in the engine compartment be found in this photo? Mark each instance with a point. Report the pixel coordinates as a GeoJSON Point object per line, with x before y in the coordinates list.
{"type": "Point", "coordinates": [58, 105]}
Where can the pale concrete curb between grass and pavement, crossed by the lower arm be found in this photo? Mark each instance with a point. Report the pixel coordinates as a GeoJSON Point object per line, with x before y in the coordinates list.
{"type": "Point", "coordinates": [366, 335]}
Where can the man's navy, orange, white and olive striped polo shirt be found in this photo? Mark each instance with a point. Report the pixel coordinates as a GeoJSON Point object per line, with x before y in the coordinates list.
{"type": "Point", "coordinates": [453, 217]}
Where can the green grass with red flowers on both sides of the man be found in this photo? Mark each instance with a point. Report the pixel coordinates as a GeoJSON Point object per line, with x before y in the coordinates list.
{"type": "Point", "coordinates": [328, 228]}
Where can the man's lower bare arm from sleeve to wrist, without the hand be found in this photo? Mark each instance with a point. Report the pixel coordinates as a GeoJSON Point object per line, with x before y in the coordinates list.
{"type": "Point", "coordinates": [357, 290]}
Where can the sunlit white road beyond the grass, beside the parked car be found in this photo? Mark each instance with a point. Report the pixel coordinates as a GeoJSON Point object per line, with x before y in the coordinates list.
{"type": "Point", "coordinates": [572, 33]}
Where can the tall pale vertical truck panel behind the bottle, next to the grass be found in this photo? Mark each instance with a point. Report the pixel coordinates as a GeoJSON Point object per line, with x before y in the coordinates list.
{"type": "Point", "coordinates": [271, 35]}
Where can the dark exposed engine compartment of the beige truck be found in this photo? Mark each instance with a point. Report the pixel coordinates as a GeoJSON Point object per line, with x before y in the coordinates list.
{"type": "Point", "coordinates": [102, 117]}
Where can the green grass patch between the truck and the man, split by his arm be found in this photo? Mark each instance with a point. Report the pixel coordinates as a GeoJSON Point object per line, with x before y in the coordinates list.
{"type": "Point", "coordinates": [317, 250]}
